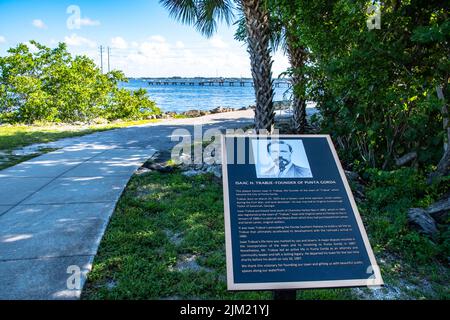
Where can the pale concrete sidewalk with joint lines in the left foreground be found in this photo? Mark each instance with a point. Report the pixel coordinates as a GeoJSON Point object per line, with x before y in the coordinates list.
{"type": "Point", "coordinates": [53, 212]}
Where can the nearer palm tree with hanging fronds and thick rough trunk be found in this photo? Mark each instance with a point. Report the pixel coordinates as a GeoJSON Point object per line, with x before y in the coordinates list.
{"type": "Point", "coordinates": [204, 14]}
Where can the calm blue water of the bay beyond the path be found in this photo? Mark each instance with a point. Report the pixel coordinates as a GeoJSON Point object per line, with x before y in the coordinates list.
{"type": "Point", "coordinates": [181, 98]}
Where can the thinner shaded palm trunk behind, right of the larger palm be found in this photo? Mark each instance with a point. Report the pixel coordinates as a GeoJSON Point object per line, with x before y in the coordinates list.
{"type": "Point", "coordinates": [297, 59]}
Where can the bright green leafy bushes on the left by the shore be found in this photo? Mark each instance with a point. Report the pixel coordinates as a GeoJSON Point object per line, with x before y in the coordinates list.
{"type": "Point", "coordinates": [51, 85]}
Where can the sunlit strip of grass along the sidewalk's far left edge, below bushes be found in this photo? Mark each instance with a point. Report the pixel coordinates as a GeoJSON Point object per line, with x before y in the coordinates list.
{"type": "Point", "coordinates": [16, 136]}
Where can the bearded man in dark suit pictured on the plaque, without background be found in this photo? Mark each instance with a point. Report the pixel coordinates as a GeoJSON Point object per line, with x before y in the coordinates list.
{"type": "Point", "coordinates": [281, 154]}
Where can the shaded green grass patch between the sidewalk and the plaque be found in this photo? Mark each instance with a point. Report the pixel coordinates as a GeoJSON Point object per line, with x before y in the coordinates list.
{"type": "Point", "coordinates": [137, 259]}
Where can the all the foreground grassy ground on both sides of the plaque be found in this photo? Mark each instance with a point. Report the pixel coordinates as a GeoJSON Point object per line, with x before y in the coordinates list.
{"type": "Point", "coordinates": [166, 241]}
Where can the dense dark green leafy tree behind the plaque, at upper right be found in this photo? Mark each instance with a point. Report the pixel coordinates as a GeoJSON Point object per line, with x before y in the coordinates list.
{"type": "Point", "coordinates": [376, 96]}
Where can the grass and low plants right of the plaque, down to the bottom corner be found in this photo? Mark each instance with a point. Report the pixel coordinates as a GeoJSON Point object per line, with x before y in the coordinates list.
{"type": "Point", "coordinates": [410, 256]}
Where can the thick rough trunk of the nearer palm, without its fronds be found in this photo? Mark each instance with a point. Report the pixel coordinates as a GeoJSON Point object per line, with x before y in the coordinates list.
{"type": "Point", "coordinates": [258, 37]}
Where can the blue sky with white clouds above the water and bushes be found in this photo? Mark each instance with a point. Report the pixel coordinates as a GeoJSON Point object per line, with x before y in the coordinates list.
{"type": "Point", "coordinates": [143, 40]}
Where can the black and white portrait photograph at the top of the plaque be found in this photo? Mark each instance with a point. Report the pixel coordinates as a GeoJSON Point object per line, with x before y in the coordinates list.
{"type": "Point", "coordinates": [281, 159]}
